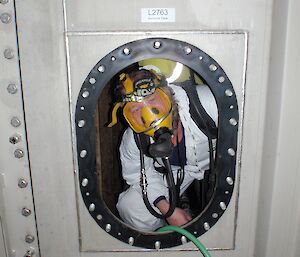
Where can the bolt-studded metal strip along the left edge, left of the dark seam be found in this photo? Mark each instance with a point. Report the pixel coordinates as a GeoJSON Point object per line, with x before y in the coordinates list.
{"type": "Point", "coordinates": [18, 231]}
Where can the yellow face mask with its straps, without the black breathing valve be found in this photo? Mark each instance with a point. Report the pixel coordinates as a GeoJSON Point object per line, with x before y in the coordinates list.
{"type": "Point", "coordinates": [146, 107]}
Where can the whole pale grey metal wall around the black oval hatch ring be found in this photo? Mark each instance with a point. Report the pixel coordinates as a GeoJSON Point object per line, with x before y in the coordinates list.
{"type": "Point", "coordinates": [49, 47]}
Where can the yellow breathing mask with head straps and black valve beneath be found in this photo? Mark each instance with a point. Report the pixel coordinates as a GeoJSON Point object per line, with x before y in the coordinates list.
{"type": "Point", "coordinates": [147, 109]}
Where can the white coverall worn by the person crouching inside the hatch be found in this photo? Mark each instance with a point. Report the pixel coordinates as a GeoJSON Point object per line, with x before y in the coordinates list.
{"type": "Point", "coordinates": [130, 205]}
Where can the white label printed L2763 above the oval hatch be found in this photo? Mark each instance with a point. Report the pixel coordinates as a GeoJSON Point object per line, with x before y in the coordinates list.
{"type": "Point", "coordinates": [158, 15]}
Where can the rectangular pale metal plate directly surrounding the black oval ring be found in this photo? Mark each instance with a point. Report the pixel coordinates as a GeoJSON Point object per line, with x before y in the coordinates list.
{"type": "Point", "coordinates": [233, 61]}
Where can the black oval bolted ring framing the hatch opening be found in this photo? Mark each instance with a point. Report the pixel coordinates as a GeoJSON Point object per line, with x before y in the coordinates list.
{"type": "Point", "coordinates": [224, 94]}
